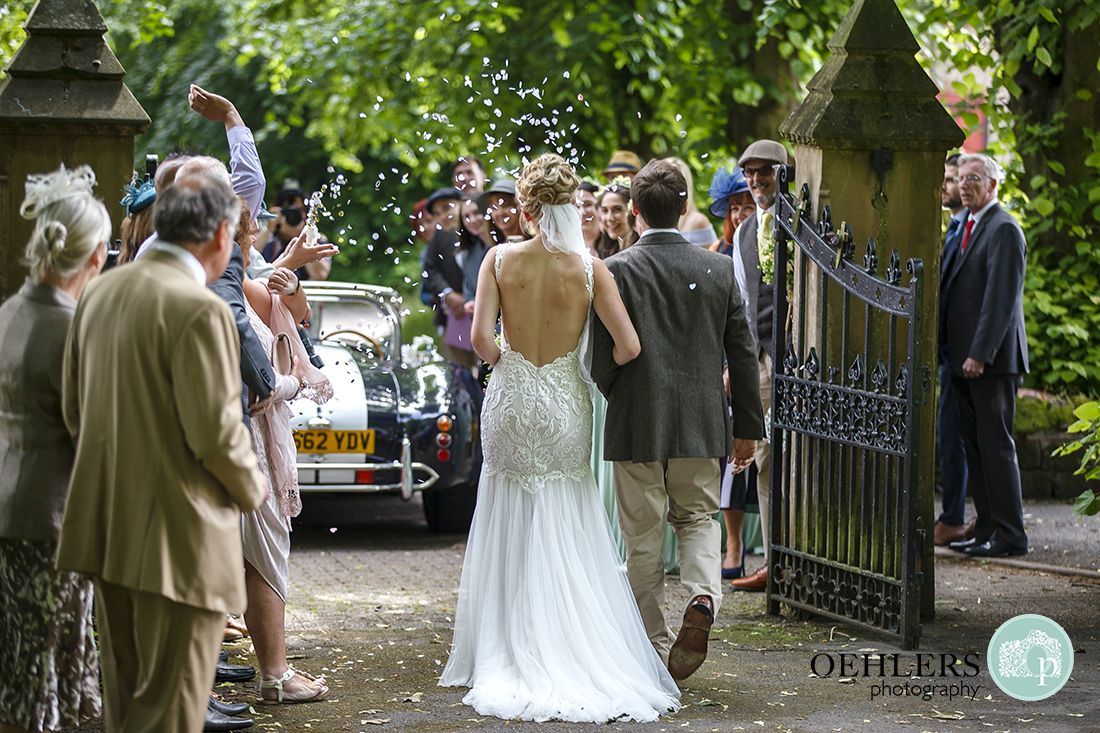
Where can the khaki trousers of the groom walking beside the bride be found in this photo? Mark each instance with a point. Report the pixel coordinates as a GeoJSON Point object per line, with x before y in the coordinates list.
{"type": "Point", "coordinates": [692, 488]}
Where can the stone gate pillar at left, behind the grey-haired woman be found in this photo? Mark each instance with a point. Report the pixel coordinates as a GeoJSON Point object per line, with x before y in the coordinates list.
{"type": "Point", "coordinates": [63, 102]}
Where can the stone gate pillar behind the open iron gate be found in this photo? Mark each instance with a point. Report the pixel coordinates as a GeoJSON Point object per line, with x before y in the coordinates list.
{"type": "Point", "coordinates": [871, 141]}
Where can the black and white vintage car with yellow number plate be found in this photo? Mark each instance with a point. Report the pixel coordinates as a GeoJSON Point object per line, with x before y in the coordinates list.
{"type": "Point", "coordinates": [402, 420]}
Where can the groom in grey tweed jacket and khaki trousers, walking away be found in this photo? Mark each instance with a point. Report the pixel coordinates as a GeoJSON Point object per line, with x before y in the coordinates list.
{"type": "Point", "coordinates": [668, 428]}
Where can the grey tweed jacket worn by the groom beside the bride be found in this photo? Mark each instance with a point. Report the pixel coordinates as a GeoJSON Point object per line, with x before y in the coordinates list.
{"type": "Point", "coordinates": [670, 402]}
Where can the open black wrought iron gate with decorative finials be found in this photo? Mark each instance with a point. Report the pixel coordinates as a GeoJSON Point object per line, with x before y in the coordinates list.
{"type": "Point", "coordinates": [845, 421]}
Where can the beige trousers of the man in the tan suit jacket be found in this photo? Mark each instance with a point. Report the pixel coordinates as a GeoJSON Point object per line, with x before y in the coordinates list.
{"type": "Point", "coordinates": [158, 660]}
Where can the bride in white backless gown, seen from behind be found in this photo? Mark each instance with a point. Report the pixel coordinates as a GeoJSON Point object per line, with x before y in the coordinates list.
{"type": "Point", "coordinates": [547, 627]}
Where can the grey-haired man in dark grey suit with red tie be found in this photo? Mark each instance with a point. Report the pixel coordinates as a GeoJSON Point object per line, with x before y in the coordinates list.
{"type": "Point", "coordinates": [984, 319]}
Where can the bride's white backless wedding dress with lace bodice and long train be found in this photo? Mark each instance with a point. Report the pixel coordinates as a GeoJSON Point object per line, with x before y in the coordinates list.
{"type": "Point", "coordinates": [547, 627]}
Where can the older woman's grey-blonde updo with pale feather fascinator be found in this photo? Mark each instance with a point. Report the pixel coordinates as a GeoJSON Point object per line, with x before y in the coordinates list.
{"type": "Point", "coordinates": [70, 223]}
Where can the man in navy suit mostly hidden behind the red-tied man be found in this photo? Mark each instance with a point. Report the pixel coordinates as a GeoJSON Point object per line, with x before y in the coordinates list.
{"type": "Point", "coordinates": [952, 526]}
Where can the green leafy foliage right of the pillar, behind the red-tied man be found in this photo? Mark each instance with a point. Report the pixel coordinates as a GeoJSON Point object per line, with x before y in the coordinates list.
{"type": "Point", "coordinates": [1032, 69]}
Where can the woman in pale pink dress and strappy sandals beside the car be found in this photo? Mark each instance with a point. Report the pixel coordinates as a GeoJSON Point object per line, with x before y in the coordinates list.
{"type": "Point", "coordinates": [276, 307]}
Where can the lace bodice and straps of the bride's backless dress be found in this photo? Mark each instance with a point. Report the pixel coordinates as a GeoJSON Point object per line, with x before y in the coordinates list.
{"type": "Point", "coordinates": [537, 421]}
